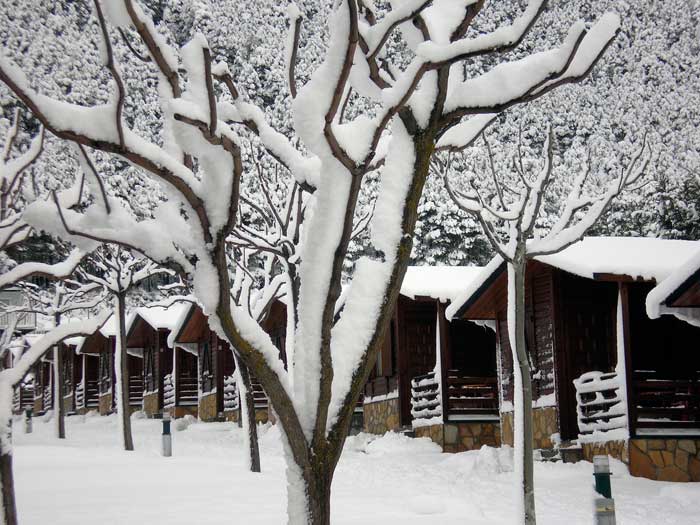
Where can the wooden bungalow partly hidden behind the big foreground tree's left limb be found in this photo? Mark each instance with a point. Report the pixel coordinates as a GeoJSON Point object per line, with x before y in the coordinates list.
{"type": "Point", "coordinates": [217, 389]}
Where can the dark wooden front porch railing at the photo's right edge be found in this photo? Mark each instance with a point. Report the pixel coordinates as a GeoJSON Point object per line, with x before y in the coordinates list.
{"type": "Point", "coordinates": [662, 402]}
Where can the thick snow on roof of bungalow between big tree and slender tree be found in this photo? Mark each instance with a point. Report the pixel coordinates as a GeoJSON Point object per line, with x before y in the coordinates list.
{"type": "Point", "coordinates": [444, 283]}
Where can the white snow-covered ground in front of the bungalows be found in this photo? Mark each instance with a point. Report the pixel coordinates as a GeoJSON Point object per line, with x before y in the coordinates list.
{"type": "Point", "coordinates": [86, 479]}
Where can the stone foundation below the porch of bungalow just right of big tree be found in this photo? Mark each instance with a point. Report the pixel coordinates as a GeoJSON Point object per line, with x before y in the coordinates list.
{"type": "Point", "coordinates": [462, 436]}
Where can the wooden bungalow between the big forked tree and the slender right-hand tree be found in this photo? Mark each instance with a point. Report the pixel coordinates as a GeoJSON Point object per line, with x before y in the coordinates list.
{"type": "Point", "coordinates": [448, 395]}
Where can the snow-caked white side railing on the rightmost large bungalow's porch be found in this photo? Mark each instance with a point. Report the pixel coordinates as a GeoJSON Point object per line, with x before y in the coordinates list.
{"type": "Point", "coordinates": [600, 405]}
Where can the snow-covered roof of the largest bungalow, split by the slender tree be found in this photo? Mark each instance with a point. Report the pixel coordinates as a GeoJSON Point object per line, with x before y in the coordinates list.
{"type": "Point", "coordinates": [636, 258]}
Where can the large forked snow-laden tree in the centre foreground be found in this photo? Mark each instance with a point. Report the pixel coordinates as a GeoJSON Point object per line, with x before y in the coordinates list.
{"type": "Point", "coordinates": [416, 101]}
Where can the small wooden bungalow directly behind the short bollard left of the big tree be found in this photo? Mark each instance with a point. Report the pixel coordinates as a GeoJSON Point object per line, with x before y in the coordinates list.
{"type": "Point", "coordinates": [164, 381]}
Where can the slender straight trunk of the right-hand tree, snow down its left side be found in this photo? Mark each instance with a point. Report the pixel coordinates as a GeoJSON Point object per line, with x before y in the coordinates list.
{"type": "Point", "coordinates": [522, 415]}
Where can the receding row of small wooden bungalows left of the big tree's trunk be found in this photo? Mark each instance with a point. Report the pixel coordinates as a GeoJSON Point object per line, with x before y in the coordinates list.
{"type": "Point", "coordinates": [176, 364]}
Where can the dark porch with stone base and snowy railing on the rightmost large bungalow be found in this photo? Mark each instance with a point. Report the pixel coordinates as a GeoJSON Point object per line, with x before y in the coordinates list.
{"type": "Point", "coordinates": [646, 413]}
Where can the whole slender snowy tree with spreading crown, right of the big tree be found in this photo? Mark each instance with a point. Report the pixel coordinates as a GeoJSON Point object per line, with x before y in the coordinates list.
{"type": "Point", "coordinates": [507, 204]}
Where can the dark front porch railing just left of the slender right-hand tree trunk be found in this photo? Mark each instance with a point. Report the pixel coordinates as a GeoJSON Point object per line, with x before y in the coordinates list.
{"type": "Point", "coordinates": [471, 396]}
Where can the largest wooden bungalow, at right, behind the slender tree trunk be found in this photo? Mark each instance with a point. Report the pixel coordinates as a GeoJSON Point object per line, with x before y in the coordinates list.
{"type": "Point", "coordinates": [606, 377]}
